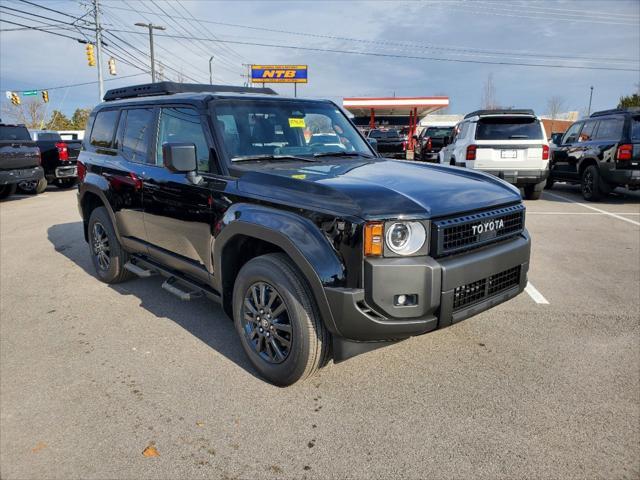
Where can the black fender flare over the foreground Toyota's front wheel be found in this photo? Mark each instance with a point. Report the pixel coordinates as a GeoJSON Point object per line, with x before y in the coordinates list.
{"type": "Point", "coordinates": [297, 236]}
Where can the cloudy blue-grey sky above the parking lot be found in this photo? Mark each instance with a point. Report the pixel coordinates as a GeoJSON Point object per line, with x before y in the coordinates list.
{"type": "Point", "coordinates": [377, 48]}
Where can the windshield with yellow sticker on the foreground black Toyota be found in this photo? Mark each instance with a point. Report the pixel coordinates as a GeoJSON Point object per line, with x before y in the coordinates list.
{"type": "Point", "coordinates": [282, 128]}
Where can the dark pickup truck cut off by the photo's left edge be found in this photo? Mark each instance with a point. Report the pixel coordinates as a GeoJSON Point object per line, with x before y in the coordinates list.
{"type": "Point", "coordinates": [19, 158]}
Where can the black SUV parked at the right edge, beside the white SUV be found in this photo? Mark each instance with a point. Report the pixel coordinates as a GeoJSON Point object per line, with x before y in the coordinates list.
{"type": "Point", "coordinates": [600, 153]}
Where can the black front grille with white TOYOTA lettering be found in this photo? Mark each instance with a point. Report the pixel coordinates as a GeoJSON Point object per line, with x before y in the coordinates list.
{"type": "Point", "coordinates": [457, 234]}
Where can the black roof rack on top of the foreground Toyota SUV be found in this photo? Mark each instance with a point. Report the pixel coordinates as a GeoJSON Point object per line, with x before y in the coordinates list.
{"type": "Point", "coordinates": [168, 88]}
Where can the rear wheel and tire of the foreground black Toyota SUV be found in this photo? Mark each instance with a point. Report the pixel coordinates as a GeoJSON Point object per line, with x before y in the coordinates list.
{"type": "Point", "coordinates": [103, 240]}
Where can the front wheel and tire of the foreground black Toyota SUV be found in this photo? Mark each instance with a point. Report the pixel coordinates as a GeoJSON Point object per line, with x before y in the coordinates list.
{"type": "Point", "coordinates": [271, 280]}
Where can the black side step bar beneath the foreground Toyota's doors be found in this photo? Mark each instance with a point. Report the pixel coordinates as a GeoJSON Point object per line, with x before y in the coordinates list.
{"type": "Point", "coordinates": [179, 285]}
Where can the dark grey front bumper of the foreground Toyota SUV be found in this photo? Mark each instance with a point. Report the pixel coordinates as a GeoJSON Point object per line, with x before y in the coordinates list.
{"type": "Point", "coordinates": [448, 290]}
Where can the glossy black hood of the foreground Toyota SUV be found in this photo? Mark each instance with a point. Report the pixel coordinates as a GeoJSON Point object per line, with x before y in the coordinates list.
{"type": "Point", "coordinates": [377, 188]}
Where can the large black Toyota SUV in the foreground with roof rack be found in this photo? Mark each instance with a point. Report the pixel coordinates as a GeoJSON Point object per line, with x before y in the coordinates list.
{"type": "Point", "coordinates": [310, 247]}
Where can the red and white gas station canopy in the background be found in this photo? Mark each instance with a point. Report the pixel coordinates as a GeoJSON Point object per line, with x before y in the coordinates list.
{"type": "Point", "coordinates": [392, 106]}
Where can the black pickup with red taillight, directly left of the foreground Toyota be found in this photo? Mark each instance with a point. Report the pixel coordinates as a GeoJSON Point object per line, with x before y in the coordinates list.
{"type": "Point", "coordinates": [59, 158]}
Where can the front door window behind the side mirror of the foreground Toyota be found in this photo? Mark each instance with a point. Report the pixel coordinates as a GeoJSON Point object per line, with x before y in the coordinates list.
{"type": "Point", "coordinates": [182, 125]}
